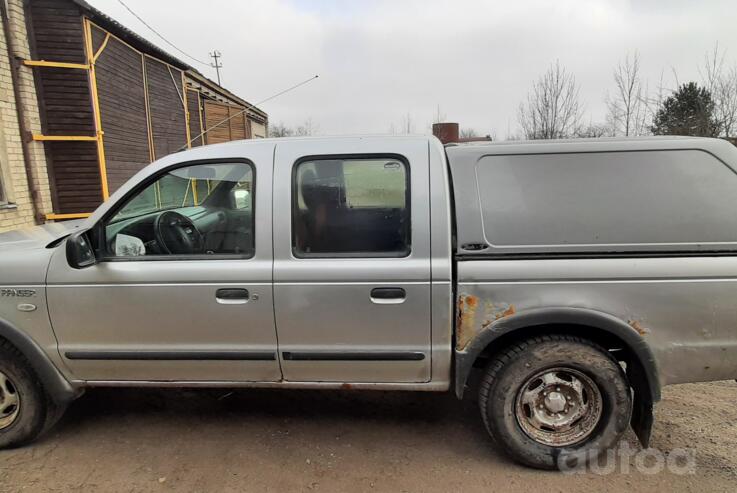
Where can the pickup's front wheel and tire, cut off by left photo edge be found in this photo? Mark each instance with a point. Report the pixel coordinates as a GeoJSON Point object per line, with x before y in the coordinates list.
{"type": "Point", "coordinates": [22, 400]}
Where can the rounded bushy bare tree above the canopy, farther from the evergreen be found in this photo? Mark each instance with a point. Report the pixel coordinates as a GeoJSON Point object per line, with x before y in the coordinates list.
{"type": "Point", "coordinates": [552, 109]}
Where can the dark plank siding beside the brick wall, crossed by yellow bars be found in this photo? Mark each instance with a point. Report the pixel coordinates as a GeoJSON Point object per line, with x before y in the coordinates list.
{"type": "Point", "coordinates": [57, 35]}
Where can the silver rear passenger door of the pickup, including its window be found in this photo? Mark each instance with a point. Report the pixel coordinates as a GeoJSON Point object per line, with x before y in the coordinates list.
{"type": "Point", "coordinates": [352, 261]}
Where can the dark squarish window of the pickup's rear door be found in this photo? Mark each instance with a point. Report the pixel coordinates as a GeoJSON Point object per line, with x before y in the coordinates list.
{"type": "Point", "coordinates": [351, 207]}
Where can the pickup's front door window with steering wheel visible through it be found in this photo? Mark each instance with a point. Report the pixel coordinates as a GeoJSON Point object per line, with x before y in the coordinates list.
{"type": "Point", "coordinates": [203, 209]}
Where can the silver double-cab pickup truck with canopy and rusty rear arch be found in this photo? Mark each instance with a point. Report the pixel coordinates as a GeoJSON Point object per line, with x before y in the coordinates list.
{"type": "Point", "coordinates": [575, 278]}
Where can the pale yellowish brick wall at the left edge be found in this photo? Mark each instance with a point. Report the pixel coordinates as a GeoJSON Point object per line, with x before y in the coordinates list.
{"type": "Point", "coordinates": [19, 210]}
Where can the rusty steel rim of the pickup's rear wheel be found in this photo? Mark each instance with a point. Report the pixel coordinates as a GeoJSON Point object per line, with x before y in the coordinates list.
{"type": "Point", "coordinates": [558, 407]}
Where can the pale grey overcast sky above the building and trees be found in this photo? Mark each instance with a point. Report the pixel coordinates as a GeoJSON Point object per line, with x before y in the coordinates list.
{"type": "Point", "coordinates": [379, 61]}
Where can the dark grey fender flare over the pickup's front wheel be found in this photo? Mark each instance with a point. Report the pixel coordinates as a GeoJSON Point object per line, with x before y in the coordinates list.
{"type": "Point", "coordinates": [57, 387]}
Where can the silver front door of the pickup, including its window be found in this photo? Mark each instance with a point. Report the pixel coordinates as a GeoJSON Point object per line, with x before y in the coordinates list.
{"type": "Point", "coordinates": [184, 289]}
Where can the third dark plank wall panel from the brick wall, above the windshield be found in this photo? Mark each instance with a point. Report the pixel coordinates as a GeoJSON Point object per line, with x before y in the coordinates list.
{"type": "Point", "coordinates": [168, 118]}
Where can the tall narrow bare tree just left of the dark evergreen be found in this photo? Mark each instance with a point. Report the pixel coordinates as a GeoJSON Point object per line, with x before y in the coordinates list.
{"type": "Point", "coordinates": [627, 111]}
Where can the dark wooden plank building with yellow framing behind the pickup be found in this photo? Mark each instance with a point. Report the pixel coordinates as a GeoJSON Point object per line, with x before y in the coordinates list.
{"type": "Point", "coordinates": [110, 103]}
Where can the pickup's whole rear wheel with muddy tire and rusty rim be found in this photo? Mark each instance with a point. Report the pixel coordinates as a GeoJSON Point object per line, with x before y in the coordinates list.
{"type": "Point", "coordinates": [555, 401]}
